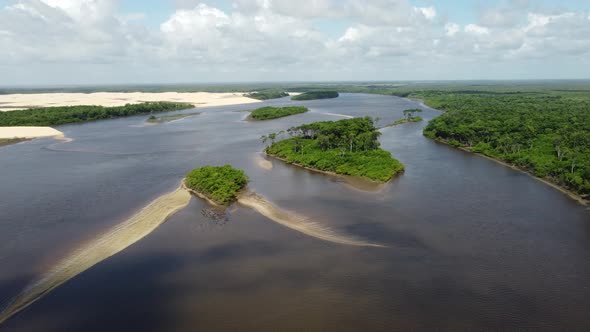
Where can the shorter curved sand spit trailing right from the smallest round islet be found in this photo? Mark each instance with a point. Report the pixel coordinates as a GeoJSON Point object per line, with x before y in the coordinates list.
{"type": "Point", "coordinates": [297, 222]}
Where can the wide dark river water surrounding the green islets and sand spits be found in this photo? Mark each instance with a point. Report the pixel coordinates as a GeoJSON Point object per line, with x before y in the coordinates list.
{"type": "Point", "coordinates": [472, 245]}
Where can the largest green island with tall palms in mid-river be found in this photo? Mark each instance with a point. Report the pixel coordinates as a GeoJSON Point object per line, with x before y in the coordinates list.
{"type": "Point", "coordinates": [348, 147]}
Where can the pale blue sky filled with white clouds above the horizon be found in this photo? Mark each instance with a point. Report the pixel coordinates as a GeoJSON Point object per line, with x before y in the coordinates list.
{"type": "Point", "coordinates": [70, 42]}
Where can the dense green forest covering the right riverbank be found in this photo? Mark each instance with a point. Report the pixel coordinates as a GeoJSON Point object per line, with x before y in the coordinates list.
{"type": "Point", "coordinates": [545, 133]}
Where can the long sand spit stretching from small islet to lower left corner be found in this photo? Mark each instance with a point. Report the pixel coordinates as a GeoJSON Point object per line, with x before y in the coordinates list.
{"type": "Point", "coordinates": [97, 250]}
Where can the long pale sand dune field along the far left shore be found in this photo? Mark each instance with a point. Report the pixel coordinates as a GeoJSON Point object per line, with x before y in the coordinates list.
{"type": "Point", "coordinates": [199, 99]}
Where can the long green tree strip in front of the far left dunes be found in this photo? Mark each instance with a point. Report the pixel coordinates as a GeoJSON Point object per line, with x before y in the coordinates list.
{"type": "Point", "coordinates": [51, 116]}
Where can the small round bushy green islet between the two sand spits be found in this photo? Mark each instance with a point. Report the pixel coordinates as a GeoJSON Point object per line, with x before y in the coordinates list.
{"type": "Point", "coordinates": [219, 183]}
